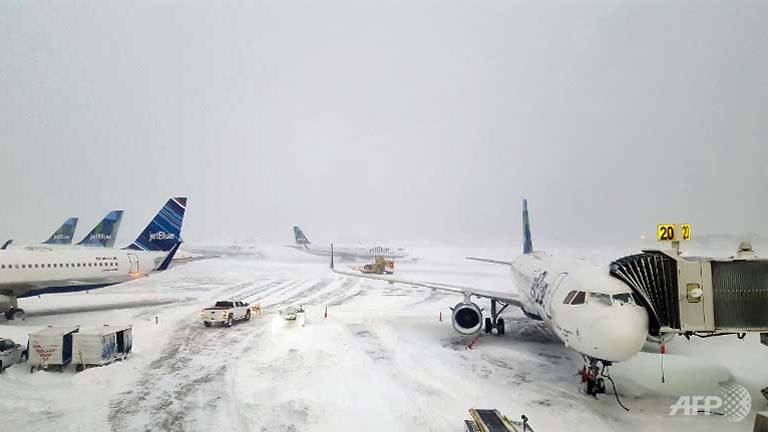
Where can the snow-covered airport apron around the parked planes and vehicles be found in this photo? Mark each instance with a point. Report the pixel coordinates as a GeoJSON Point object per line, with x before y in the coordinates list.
{"type": "Point", "coordinates": [381, 361]}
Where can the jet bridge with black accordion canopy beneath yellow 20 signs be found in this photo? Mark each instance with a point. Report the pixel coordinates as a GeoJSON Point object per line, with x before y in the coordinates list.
{"type": "Point", "coordinates": [699, 295]}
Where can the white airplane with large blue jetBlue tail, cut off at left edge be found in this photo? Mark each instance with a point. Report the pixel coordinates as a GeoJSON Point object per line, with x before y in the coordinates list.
{"type": "Point", "coordinates": [29, 273]}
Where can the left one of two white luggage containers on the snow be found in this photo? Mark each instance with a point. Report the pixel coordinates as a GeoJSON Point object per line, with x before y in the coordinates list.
{"type": "Point", "coordinates": [50, 348]}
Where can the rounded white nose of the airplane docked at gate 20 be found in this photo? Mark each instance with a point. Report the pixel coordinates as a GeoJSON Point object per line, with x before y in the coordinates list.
{"type": "Point", "coordinates": [621, 335]}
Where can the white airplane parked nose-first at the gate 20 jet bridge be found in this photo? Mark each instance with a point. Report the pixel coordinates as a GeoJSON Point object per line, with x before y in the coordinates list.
{"type": "Point", "coordinates": [589, 310]}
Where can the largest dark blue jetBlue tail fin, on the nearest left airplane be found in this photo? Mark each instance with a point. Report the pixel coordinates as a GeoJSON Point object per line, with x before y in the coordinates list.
{"type": "Point", "coordinates": [164, 231]}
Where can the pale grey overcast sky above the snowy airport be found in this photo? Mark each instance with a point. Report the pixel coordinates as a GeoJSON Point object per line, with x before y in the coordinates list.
{"type": "Point", "coordinates": [412, 120]}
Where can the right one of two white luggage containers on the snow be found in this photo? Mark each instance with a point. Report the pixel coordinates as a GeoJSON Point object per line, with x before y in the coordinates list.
{"type": "Point", "coordinates": [99, 346]}
